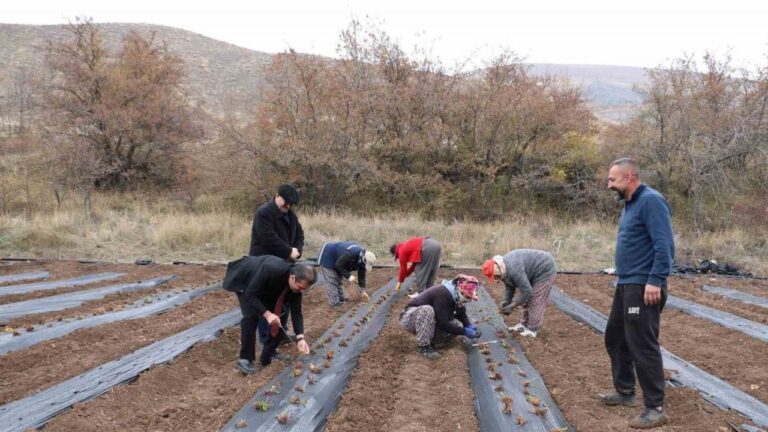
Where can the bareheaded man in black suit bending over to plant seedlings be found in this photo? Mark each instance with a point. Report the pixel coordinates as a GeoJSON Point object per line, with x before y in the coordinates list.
{"type": "Point", "coordinates": [263, 285]}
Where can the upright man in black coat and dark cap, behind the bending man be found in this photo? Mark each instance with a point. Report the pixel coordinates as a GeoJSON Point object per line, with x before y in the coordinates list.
{"type": "Point", "coordinates": [276, 229]}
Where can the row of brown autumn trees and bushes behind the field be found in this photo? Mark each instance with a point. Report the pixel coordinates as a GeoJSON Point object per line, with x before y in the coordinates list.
{"type": "Point", "coordinates": [379, 128]}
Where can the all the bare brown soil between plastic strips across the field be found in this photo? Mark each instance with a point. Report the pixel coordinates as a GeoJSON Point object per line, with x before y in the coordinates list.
{"type": "Point", "coordinates": [392, 387]}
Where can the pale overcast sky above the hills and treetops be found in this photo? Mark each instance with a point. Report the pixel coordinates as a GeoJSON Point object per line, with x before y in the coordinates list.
{"type": "Point", "coordinates": [644, 33]}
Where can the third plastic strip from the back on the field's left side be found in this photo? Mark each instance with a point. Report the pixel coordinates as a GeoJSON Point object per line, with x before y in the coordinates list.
{"type": "Point", "coordinates": [73, 299]}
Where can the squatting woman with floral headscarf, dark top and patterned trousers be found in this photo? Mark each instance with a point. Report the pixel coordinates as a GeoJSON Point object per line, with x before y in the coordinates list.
{"type": "Point", "coordinates": [441, 308]}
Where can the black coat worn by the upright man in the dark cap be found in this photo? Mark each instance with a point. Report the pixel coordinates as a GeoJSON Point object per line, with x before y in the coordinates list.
{"type": "Point", "coordinates": [274, 232]}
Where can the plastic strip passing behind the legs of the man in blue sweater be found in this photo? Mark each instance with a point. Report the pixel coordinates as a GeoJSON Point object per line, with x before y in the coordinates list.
{"type": "Point", "coordinates": [711, 388]}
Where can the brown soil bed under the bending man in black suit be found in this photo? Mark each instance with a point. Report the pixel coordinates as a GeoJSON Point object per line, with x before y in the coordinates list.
{"type": "Point", "coordinates": [201, 390]}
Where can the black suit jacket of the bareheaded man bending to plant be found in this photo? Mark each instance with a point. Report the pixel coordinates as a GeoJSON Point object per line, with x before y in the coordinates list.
{"type": "Point", "coordinates": [261, 280]}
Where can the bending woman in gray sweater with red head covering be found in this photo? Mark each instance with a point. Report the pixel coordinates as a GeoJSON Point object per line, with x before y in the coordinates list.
{"type": "Point", "coordinates": [533, 273]}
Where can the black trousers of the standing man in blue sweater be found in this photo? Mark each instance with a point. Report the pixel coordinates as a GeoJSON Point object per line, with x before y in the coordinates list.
{"type": "Point", "coordinates": [632, 341]}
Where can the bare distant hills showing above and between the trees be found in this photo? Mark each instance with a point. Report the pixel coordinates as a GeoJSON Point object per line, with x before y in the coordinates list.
{"type": "Point", "coordinates": [227, 78]}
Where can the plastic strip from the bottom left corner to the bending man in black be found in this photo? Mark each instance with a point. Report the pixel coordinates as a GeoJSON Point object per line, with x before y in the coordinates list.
{"type": "Point", "coordinates": [34, 411]}
